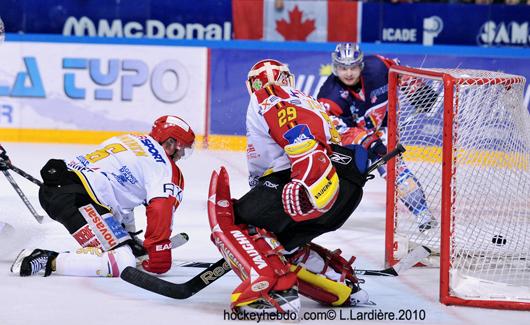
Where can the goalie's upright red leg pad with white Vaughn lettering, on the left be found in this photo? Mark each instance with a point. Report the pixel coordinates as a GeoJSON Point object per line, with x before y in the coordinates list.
{"type": "Point", "coordinates": [253, 253]}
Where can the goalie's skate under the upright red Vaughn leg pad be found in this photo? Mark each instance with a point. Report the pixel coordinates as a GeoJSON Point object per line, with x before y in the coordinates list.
{"type": "Point", "coordinates": [288, 300]}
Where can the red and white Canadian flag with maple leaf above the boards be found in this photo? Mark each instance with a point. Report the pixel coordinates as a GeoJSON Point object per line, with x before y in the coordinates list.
{"type": "Point", "coordinates": [298, 20]}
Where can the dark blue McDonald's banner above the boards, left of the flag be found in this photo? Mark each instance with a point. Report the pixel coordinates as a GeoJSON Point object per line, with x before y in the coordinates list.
{"type": "Point", "coordinates": [205, 19]}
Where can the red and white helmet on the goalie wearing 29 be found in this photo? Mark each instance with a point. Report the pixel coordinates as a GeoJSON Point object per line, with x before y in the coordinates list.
{"type": "Point", "coordinates": [266, 72]}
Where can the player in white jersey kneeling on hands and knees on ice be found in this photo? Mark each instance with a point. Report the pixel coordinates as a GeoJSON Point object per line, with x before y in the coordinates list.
{"type": "Point", "coordinates": [94, 194]}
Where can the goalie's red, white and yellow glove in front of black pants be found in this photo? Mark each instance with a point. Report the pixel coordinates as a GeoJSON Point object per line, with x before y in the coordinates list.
{"type": "Point", "coordinates": [314, 184]}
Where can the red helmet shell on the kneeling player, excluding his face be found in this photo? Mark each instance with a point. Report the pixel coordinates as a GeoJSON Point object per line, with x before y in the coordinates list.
{"type": "Point", "coordinates": [170, 126]}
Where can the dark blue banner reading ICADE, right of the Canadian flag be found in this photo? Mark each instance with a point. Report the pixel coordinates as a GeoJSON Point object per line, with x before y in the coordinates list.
{"type": "Point", "coordinates": [456, 24]}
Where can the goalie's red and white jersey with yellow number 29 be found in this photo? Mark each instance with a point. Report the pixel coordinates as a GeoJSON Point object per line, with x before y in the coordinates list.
{"type": "Point", "coordinates": [277, 116]}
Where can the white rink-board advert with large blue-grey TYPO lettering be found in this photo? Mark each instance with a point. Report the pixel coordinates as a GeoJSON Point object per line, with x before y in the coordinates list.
{"type": "Point", "coordinates": [102, 87]}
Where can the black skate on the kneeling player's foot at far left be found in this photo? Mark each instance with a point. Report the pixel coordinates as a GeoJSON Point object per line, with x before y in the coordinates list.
{"type": "Point", "coordinates": [31, 262]}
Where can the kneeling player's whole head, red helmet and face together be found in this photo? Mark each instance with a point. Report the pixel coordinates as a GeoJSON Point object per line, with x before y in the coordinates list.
{"type": "Point", "coordinates": [177, 131]}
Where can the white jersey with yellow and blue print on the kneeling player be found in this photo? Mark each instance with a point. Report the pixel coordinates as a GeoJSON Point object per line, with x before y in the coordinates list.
{"type": "Point", "coordinates": [126, 171]}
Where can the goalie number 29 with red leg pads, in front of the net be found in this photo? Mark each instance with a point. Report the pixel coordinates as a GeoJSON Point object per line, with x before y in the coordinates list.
{"type": "Point", "coordinates": [304, 184]}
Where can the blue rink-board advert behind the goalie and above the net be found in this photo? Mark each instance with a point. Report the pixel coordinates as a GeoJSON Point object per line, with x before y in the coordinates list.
{"type": "Point", "coordinates": [230, 68]}
